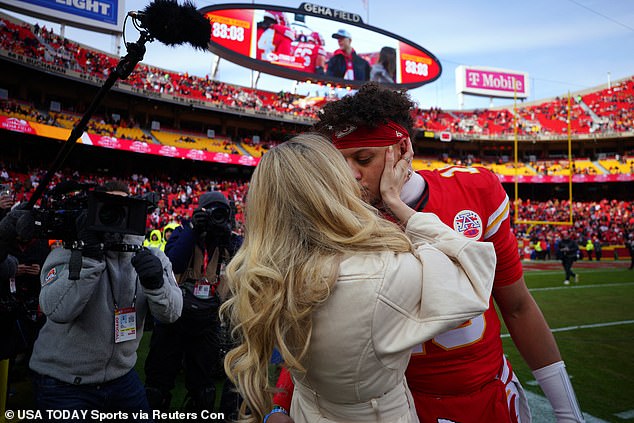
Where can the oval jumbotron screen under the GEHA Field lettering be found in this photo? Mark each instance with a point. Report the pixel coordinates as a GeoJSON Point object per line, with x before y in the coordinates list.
{"type": "Point", "coordinates": [300, 43]}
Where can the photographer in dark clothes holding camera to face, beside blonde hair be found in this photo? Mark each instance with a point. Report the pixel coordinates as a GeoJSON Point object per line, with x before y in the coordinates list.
{"type": "Point", "coordinates": [199, 251]}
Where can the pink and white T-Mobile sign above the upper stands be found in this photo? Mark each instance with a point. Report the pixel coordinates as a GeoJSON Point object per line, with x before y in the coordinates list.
{"type": "Point", "coordinates": [491, 82]}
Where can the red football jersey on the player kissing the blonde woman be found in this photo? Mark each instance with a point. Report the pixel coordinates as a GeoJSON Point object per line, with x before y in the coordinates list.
{"type": "Point", "coordinates": [472, 202]}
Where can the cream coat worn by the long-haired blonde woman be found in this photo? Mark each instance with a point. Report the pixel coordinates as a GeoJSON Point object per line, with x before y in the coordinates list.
{"type": "Point", "coordinates": [382, 305]}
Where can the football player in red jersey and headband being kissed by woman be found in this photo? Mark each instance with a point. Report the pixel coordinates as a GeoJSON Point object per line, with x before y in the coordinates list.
{"type": "Point", "coordinates": [462, 375]}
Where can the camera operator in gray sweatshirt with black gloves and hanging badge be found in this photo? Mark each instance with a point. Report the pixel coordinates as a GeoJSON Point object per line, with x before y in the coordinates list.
{"type": "Point", "coordinates": [85, 354]}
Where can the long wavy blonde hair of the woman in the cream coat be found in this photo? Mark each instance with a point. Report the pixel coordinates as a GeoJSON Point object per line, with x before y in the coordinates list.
{"type": "Point", "coordinates": [304, 213]}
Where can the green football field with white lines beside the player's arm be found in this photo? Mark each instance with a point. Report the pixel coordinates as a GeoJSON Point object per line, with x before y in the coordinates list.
{"type": "Point", "coordinates": [593, 322]}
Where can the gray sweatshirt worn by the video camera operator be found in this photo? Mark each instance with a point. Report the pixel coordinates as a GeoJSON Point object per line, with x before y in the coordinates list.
{"type": "Point", "coordinates": [77, 343]}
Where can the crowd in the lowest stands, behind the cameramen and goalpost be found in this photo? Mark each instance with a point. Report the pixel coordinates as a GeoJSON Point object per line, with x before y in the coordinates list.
{"type": "Point", "coordinates": [608, 220]}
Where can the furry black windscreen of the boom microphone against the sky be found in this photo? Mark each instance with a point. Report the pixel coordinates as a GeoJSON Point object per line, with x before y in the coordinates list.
{"type": "Point", "coordinates": [172, 24]}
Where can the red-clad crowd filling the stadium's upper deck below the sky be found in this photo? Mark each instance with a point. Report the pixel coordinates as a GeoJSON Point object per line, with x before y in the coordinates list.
{"type": "Point", "coordinates": [607, 110]}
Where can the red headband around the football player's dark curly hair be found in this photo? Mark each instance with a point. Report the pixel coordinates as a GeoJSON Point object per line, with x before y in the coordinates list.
{"type": "Point", "coordinates": [381, 136]}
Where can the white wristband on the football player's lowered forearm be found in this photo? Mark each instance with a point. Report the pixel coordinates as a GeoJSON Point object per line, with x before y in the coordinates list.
{"type": "Point", "coordinates": [554, 381]}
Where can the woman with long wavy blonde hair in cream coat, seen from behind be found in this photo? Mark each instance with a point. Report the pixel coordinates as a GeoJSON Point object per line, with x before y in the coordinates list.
{"type": "Point", "coordinates": [341, 292]}
